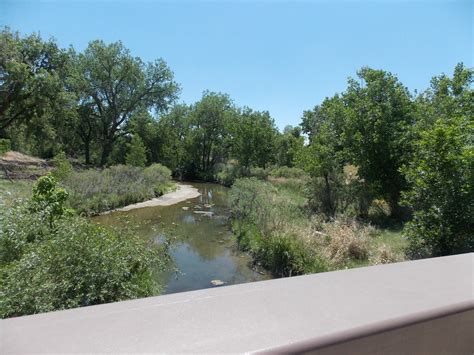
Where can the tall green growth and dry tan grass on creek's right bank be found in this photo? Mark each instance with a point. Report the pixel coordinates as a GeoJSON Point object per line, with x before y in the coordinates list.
{"type": "Point", "coordinates": [272, 223]}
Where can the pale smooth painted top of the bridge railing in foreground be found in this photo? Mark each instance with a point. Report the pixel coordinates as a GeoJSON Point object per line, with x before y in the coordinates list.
{"type": "Point", "coordinates": [299, 313]}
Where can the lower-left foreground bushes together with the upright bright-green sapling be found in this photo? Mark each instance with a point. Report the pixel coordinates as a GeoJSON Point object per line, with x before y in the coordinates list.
{"type": "Point", "coordinates": [53, 260]}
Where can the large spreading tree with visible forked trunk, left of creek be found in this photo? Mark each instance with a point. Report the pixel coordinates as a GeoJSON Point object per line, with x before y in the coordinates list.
{"type": "Point", "coordinates": [113, 86]}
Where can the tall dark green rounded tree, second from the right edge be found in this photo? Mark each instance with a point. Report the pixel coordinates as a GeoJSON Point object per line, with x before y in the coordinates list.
{"type": "Point", "coordinates": [378, 132]}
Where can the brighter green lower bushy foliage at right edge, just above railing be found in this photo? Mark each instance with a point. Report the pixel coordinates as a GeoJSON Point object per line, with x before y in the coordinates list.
{"type": "Point", "coordinates": [442, 195]}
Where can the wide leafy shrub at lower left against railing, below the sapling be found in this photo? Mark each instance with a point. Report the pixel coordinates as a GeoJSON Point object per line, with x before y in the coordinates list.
{"type": "Point", "coordinates": [77, 264]}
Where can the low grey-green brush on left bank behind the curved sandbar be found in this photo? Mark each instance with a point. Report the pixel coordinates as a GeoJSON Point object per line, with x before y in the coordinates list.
{"type": "Point", "coordinates": [94, 191]}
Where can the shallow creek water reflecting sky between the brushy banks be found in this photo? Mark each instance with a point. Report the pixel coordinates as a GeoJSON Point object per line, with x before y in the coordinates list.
{"type": "Point", "coordinates": [202, 246]}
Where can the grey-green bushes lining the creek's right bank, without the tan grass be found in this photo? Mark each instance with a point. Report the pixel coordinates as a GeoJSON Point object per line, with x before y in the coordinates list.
{"type": "Point", "coordinates": [261, 219]}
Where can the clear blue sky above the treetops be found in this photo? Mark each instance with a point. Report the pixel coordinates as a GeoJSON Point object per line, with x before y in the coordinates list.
{"type": "Point", "coordinates": [280, 56]}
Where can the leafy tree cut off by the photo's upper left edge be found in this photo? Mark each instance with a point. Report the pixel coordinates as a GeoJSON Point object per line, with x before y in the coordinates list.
{"type": "Point", "coordinates": [32, 73]}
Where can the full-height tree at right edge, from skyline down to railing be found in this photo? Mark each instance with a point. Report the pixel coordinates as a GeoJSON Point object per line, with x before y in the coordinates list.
{"type": "Point", "coordinates": [441, 173]}
